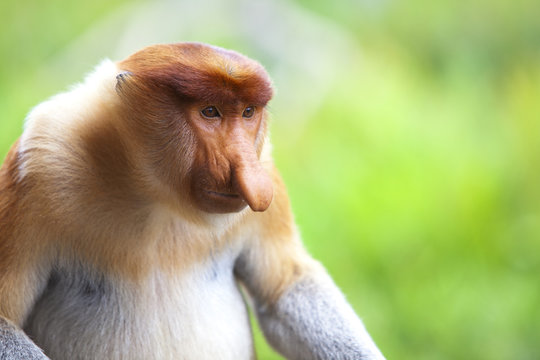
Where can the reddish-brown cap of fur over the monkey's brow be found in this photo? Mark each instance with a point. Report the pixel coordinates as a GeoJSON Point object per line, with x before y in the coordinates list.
{"type": "Point", "coordinates": [200, 72]}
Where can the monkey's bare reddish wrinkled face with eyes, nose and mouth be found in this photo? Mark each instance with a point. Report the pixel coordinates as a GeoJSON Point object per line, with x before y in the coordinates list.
{"type": "Point", "coordinates": [227, 173]}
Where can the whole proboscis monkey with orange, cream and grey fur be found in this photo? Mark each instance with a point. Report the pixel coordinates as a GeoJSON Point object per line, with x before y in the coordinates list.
{"type": "Point", "coordinates": [135, 205]}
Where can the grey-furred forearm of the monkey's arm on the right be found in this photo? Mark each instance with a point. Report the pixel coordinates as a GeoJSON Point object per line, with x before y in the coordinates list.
{"type": "Point", "coordinates": [312, 320]}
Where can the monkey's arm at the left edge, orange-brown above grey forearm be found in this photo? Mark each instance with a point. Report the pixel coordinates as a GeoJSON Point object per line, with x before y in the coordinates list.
{"type": "Point", "coordinates": [21, 275]}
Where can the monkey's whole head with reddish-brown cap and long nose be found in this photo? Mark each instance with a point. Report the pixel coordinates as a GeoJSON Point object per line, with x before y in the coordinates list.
{"type": "Point", "coordinates": [198, 116]}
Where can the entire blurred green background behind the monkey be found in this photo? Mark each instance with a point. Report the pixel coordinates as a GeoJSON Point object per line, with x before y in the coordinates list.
{"type": "Point", "coordinates": [408, 133]}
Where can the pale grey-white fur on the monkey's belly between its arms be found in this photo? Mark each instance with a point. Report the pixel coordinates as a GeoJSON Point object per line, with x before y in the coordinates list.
{"type": "Point", "coordinates": [199, 314]}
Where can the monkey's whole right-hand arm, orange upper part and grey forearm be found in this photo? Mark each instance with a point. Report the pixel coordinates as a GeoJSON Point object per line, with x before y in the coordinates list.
{"type": "Point", "coordinates": [301, 311]}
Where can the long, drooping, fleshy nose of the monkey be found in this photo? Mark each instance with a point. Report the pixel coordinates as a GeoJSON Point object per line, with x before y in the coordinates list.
{"type": "Point", "coordinates": [249, 178]}
